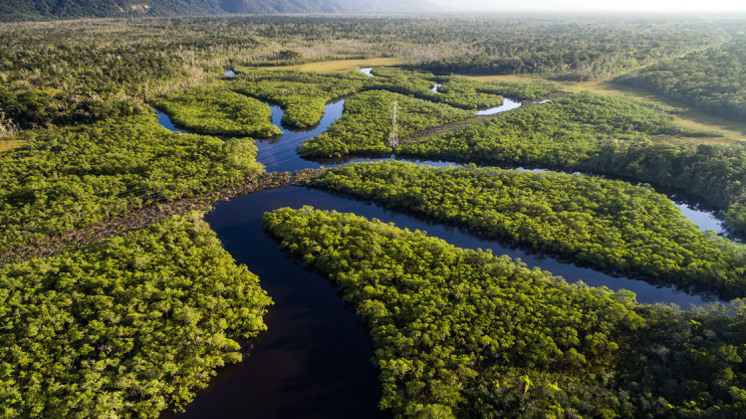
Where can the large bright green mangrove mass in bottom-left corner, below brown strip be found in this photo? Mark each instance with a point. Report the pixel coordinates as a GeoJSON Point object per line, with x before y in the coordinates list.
{"type": "Point", "coordinates": [129, 326]}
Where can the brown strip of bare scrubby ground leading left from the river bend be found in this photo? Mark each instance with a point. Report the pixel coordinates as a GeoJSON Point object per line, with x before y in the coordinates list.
{"type": "Point", "coordinates": [144, 217]}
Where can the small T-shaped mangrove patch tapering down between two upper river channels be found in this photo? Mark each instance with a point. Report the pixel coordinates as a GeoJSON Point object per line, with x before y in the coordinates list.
{"type": "Point", "coordinates": [301, 95]}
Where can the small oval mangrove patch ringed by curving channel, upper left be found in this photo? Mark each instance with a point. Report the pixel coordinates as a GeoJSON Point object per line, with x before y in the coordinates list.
{"type": "Point", "coordinates": [219, 111]}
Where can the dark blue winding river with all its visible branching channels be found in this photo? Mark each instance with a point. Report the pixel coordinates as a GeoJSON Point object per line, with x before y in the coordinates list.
{"type": "Point", "coordinates": [314, 360]}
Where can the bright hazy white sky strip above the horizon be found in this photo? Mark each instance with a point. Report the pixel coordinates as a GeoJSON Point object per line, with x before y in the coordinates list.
{"type": "Point", "coordinates": [592, 5]}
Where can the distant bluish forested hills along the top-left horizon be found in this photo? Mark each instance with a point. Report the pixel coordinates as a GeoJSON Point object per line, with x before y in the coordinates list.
{"type": "Point", "coordinates": [18, 10]}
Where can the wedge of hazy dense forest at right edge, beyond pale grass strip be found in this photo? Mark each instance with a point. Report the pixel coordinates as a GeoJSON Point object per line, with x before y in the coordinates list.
{"type": "Point", "coordinates": [713, 80]}
